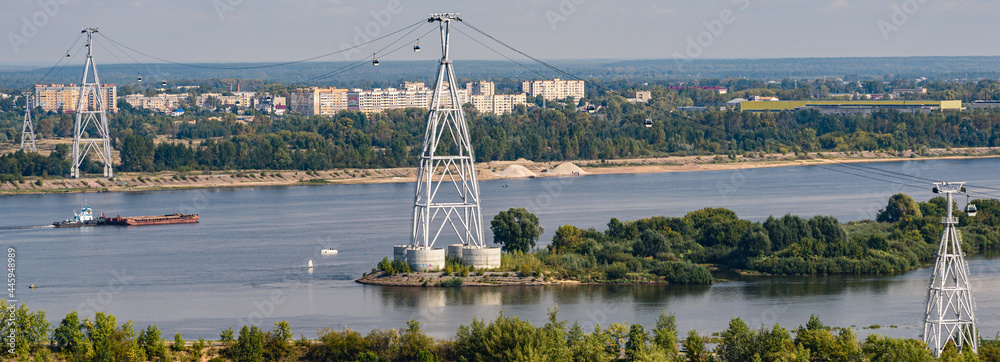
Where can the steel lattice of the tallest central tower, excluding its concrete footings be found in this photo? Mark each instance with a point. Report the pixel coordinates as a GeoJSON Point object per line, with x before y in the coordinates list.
{"type": "Point", "coordinates": [447, 192]}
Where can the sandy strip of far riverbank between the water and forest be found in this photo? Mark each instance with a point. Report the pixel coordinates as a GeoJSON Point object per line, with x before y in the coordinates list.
{"type": "Point", "coordinates": [125, 182]}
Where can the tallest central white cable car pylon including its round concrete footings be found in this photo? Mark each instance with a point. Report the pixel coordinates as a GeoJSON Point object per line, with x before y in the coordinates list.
{"type": "Point", "coordinates": [446, 197]}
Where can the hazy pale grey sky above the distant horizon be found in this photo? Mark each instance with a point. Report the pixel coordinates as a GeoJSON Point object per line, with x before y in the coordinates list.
{"type": "Point", "coordinates": [40, 31]}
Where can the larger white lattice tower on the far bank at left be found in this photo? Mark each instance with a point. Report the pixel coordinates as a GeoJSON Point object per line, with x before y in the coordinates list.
{"type": "Point", "coordinates": [91, 109]}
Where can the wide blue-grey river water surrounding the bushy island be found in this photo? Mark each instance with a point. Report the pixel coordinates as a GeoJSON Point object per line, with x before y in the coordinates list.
{"type": "Point", "coordinates": [245, 261]}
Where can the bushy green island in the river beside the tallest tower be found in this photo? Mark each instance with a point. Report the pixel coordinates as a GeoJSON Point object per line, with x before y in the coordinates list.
{"type": "Point", "coordinates": [685, 250]}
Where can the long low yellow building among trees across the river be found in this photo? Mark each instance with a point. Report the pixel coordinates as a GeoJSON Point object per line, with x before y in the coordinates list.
{"type": "Point", "coordinates": [850, 107]}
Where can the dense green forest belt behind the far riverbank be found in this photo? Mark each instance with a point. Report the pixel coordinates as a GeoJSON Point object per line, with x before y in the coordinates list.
{"type": "Point", "coordinates": [206, 140]}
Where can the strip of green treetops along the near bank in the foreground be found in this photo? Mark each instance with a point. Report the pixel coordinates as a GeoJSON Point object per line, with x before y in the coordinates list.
{"type": "Point", "coordinates": [506, 338]}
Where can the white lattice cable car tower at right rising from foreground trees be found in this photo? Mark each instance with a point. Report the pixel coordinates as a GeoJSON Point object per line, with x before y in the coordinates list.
{"type": "Point", "coordinates": [951, 311]}
